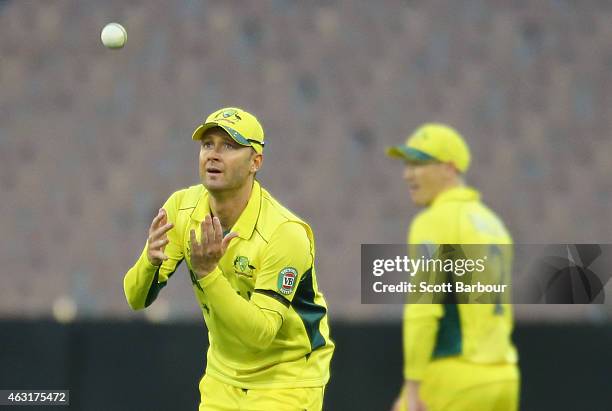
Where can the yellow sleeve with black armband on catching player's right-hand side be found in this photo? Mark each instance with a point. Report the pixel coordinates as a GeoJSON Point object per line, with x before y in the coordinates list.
{"type": "Point", "coordinates": [257, 321]}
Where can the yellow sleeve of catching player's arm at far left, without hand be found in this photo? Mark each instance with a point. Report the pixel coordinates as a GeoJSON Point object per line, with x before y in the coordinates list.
{"type": "Point", "coordinates": [143, 282]}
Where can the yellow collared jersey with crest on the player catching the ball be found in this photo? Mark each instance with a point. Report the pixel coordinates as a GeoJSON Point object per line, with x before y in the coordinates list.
{"type": "Point", "coordinates": [266, 318]}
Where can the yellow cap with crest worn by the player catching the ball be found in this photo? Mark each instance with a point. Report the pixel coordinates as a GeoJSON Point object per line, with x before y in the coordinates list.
{"type": "Point", "coordinates": [242, 126]}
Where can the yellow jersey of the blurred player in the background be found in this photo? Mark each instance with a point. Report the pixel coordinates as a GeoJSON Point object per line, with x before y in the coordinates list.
{"type": "Point", "coordinates": [476, 333]}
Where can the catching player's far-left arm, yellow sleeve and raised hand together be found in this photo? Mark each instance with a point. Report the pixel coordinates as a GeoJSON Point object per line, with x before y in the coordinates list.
{"type": "Point", "coordinates": [159, 259]}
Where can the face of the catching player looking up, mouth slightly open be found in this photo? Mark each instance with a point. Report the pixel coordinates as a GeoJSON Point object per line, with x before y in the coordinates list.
{"type": "Point", "coordinates": [224, 164]}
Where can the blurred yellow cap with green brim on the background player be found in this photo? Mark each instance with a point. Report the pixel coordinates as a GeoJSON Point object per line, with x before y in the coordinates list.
{"type": "Point", "coordinates": [434, 142]}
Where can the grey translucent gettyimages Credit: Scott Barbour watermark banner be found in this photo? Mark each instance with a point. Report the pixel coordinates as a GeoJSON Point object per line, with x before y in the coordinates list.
{"type": "Point", "coordinates": [485, 273]}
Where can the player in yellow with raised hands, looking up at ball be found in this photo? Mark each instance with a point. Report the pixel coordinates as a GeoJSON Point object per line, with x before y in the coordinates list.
{"type": "Point", "coordinates": [251, 262]}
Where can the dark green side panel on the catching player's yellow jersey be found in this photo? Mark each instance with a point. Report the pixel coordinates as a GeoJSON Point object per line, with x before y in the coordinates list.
{"type": "Point", "coordinates": [310, 313]}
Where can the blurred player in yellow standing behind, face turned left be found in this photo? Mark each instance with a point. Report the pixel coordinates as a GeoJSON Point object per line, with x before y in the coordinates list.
{"type": "Point", "coordinates": [457, 357]}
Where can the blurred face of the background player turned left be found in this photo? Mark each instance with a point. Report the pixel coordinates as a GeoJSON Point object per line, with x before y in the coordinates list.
{"type": "Point", "coordinates": [426, 180]}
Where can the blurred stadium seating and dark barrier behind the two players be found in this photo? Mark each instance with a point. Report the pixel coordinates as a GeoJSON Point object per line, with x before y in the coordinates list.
{"type": "Point", "coordinates": [92, 141]}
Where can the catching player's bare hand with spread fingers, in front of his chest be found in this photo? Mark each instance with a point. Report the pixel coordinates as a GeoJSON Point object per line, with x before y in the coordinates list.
{"type": "Point", "coordinates": [206, 255]}
